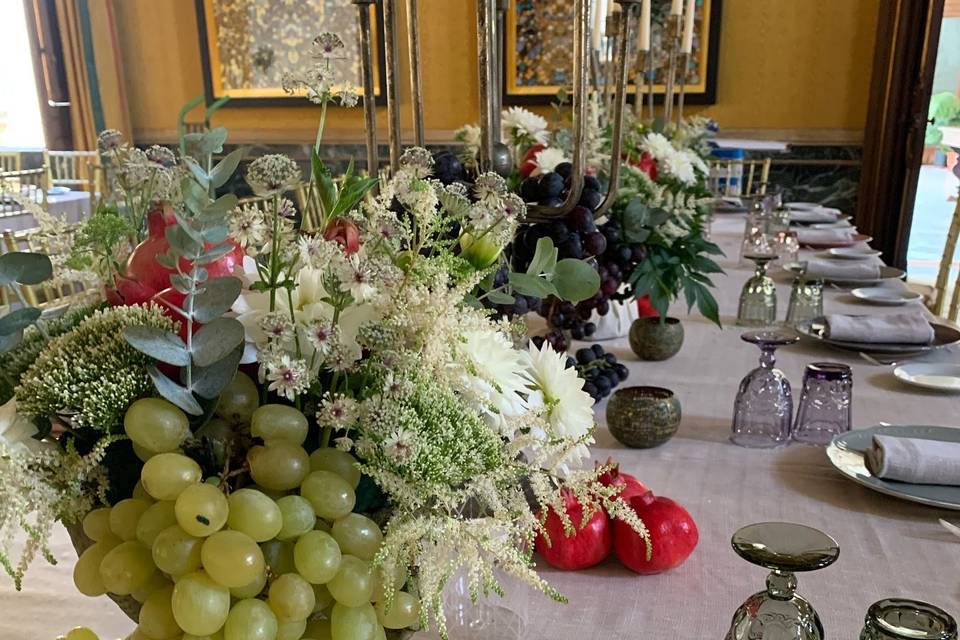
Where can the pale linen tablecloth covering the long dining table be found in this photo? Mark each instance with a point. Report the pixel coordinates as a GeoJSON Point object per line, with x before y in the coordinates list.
{"type": "Point", "coordinates": [888, 547]}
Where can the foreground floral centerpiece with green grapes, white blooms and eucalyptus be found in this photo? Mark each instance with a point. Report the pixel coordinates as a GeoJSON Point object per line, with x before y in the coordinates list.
{"type": "Point", "coordinates": [305, 434]}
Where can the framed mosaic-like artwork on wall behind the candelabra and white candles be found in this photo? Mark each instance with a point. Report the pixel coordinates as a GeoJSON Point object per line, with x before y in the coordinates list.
{"type": "Point", "coordinates": [539, 42]}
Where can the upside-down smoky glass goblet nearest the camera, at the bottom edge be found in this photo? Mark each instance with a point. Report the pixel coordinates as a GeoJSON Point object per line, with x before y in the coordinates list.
{"type": "Point", "coordinates": [778, 613]}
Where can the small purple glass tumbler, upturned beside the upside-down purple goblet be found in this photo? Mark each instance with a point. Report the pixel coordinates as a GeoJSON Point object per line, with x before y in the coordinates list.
{"type": "Point", "coordinates": [826, 403]}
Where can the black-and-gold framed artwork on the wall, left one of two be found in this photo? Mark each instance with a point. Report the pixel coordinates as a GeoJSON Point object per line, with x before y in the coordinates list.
{"type": "Point", "coordinates": [247, 45]}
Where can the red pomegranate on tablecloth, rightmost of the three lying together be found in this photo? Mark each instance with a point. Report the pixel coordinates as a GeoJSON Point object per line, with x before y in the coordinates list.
{"type": "Point", "coordinates": [673, 535]}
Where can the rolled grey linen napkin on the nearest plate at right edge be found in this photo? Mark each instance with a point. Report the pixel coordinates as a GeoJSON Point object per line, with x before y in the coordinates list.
{"type": "Point", "coordinates": [914, 460]}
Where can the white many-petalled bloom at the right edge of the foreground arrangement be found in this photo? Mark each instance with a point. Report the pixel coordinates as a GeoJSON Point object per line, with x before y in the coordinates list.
{"type": "Point", "coordinates": [568, 408]}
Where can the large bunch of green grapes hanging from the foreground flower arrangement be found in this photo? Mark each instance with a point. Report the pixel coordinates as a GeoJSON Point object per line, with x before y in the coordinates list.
{"type": "Point", "coordinates": [284, 558]}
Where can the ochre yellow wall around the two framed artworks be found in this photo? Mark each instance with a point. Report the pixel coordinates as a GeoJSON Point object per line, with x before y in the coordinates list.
{"type": "Point", "coordinates": [794, 69]}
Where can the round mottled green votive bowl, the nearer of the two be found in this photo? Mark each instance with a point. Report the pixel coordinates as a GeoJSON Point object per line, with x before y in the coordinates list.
{"type": "Point", "coordinates": [643, 417]}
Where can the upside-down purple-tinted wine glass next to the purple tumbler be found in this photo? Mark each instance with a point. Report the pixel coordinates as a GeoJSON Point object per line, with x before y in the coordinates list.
{"type": "Point", "coordinates": [763, 408]}
